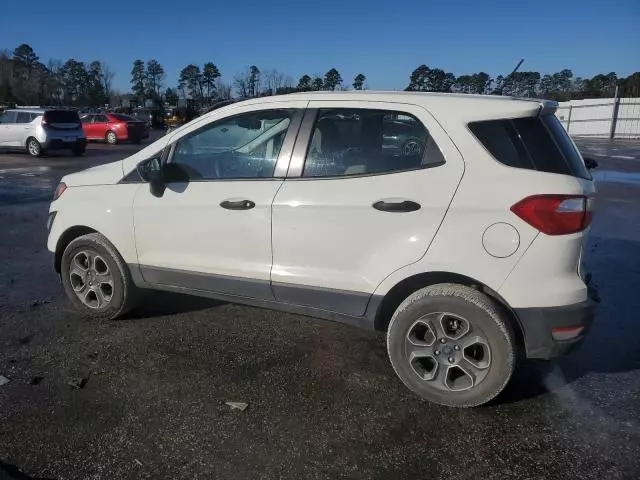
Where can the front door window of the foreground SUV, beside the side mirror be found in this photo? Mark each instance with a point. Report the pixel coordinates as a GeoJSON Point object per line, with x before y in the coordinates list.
{"type": "Point", "coordinates": [241, 147]}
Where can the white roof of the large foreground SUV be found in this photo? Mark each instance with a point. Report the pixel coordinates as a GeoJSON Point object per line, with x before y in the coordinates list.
{"type": "Point", "coordinates": [447, 105]}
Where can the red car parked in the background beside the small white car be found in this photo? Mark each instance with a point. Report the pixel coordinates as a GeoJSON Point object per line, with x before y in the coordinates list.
{"type": "Point", "coordinates": [114, 127]}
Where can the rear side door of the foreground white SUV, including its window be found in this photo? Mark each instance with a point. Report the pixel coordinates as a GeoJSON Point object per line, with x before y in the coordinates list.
{"type": "Point", "coordinates": [368, 185]}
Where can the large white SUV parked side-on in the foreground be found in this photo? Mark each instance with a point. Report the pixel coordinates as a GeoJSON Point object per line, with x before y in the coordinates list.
{"type": "Point", "coordinates": [455, 223]}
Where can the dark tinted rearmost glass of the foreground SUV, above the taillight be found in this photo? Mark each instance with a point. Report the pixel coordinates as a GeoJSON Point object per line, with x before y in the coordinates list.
{"type": "Point", "coordinates": [532, 143]}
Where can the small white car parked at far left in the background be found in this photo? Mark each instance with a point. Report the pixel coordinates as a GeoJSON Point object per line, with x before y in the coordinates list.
{"type": "Point", "coordinates": [37, 130]}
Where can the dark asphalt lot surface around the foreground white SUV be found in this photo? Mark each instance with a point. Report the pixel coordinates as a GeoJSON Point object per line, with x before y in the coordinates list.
{"type": "Point", "coordinates": [323, 400]}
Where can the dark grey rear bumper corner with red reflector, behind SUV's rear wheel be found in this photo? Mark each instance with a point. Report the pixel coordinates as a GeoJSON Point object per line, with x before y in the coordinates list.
{"type": "Point", "coordinates": [540, 325]}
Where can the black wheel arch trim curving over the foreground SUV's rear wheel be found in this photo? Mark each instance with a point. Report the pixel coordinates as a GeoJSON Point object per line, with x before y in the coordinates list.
{"type": "Point", "coordinates": [407, 286]}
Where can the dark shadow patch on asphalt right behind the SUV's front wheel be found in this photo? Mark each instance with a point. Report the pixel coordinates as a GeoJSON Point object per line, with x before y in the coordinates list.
{"type": "Point", "coordinates": [158, 304]}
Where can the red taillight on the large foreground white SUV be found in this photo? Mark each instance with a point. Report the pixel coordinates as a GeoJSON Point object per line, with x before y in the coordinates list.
{"type": "Point", "coordinates": [556, 214]}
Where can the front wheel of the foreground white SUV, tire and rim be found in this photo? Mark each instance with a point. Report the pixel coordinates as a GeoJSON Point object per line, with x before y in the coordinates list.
{"type": "Point", "coordinates": [96, 278]}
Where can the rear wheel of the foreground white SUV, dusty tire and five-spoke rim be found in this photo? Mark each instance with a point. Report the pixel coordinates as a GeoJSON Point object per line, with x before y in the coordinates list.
{"type": "Point", "coordinates": [485, 321]}
